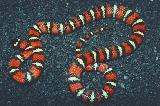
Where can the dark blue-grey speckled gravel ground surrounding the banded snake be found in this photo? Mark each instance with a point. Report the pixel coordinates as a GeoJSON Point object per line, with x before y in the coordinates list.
{"type": "Point", "coordinates": [139, 74]}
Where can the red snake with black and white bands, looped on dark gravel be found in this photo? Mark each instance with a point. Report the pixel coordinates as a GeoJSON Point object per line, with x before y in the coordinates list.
{"type": "Point", "coordinates": [85, 62]}
